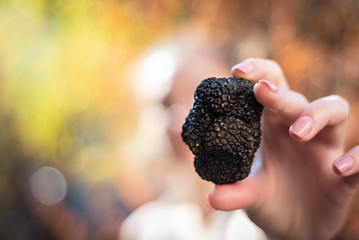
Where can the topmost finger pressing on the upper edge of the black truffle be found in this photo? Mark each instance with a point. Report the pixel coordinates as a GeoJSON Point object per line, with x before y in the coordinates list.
{"type": "Point", "coordinates": [255, 69]}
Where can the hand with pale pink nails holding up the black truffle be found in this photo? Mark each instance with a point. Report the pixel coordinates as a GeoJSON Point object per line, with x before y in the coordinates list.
{"type": "Point", "coordinates": [302, 182]}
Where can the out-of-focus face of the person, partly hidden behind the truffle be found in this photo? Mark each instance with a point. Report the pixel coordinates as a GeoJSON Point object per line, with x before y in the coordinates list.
{"type": "Point", "coordinates": [180, 98]}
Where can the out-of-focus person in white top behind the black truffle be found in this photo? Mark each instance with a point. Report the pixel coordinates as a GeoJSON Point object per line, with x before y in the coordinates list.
{"type": "Point", "coordinates": [180, 211]}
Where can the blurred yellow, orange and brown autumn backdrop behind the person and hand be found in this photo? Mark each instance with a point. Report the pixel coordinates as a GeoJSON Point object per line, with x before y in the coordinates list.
{"type": "Point", "coordinates": [82, 84]}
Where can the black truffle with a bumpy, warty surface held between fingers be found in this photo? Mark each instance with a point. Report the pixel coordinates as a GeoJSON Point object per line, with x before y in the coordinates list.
{"type": "Point", "coordinates": [223, 129]}
